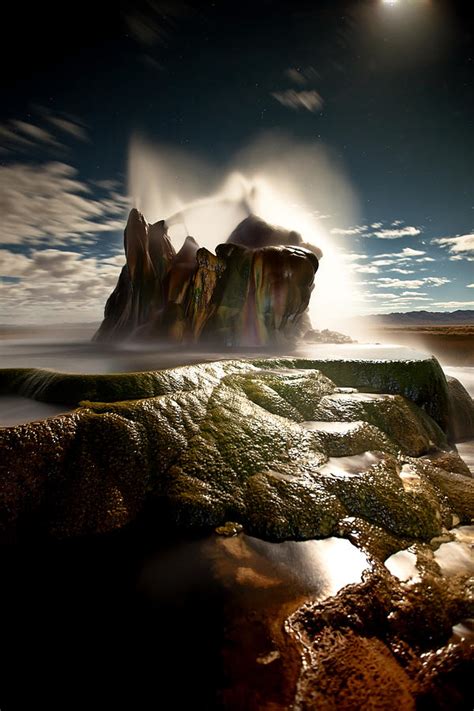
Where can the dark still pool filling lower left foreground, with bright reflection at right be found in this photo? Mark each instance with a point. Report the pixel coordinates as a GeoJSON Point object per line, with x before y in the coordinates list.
{"type": "Point", "coordinates": [128, 619]}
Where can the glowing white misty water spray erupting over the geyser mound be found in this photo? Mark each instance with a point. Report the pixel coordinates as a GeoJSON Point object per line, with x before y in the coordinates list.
{"type": "Point", "coordinates": [285, 182]}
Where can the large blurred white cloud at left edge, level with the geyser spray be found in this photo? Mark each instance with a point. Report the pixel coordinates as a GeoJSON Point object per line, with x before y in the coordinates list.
{"type": "Point", "coordinates": [47, 203]}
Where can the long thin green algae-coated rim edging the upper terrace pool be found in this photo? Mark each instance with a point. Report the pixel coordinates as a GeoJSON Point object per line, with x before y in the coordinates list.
{"type": "Point", "coordinates": [421, 381]}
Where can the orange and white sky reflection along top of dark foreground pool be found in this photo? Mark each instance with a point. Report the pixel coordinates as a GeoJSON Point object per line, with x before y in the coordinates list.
{"type": "Point", "coordinates": [247, 565]}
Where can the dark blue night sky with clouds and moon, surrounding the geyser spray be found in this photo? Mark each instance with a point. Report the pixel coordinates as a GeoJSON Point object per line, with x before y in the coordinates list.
{"type": "Point", "coordinates": [383, 89]}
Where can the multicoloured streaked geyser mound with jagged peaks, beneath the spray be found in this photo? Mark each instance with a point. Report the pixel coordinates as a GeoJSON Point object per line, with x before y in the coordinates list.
{"type": "Point", "coordinates": [253, 291]}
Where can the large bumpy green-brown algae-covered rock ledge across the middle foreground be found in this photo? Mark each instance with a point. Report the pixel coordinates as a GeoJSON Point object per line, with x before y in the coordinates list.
{"type": "Point", "coordinates": [265, 447]}
